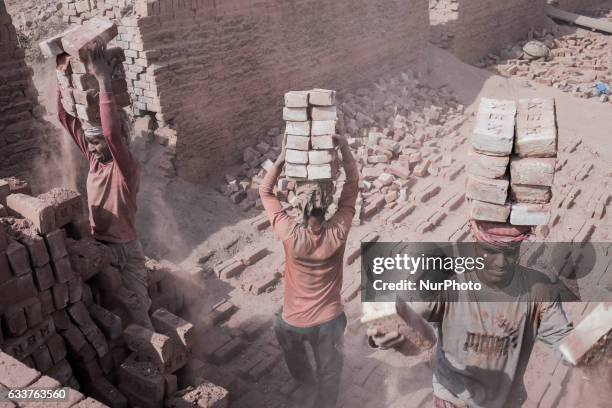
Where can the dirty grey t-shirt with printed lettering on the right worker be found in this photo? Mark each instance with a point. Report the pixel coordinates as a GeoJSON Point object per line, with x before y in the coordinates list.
{"type": "Point", "coordinates": [484, 347]}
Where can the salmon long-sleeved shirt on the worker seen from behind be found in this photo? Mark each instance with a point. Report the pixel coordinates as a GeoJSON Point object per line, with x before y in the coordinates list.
{"type": "Point", "coordinates": [313, 261]}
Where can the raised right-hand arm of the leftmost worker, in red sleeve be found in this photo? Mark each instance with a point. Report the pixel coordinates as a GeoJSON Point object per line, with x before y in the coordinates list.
{"type": "Point", "coordinates": [109, 116]}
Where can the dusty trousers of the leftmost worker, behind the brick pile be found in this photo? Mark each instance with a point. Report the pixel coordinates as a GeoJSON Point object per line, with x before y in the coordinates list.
{"type": "Point", "coordinates": [130, 260]}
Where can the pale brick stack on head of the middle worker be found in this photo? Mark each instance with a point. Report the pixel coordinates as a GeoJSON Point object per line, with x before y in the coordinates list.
{"type": "Point", "coordinates": [311, 124]}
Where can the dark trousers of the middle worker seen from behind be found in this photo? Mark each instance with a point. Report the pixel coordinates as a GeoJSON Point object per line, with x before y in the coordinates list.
{"type": "Point", "coordinates": [327, 343]}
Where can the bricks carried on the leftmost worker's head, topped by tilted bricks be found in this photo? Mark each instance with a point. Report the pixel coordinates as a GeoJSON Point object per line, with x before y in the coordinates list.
{"type": "Point", "coordinates": [79, 88]}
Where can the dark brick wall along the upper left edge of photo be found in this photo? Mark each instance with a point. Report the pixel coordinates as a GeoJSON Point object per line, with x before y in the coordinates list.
{"type": "Point", "coordinates": [19, 110]}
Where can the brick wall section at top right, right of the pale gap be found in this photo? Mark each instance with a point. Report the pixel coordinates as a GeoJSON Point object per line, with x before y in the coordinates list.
{"type": "Point", "coordinates": [484, 26]}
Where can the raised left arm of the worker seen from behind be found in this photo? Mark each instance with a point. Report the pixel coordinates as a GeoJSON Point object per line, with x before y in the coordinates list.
{"type": "Point", "coordinates": [282, 224]}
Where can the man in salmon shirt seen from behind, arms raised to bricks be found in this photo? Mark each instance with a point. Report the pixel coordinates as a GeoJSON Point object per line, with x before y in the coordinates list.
{"type": "Point", "coordinates": [314, 251]}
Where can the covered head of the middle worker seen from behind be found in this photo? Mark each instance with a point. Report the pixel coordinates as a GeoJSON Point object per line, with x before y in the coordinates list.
{"type": "Point", "coordinates": [314, 198]}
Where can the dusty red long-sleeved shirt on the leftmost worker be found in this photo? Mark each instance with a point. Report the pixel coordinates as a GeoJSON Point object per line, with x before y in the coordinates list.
{"type": "Point", "coordinates": [111, 187]}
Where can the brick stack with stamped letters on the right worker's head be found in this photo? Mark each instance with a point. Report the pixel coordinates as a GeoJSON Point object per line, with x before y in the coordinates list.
{"type": "Point", "coordinates": [523, 195]}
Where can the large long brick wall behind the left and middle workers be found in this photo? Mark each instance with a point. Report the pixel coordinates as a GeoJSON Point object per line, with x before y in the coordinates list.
{"type": "Point", "coordinates": [217, 70]}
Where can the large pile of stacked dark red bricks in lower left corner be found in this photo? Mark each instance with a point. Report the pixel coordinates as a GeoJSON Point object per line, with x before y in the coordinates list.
{"type": "Point", "coordinates": [64, 308]}
